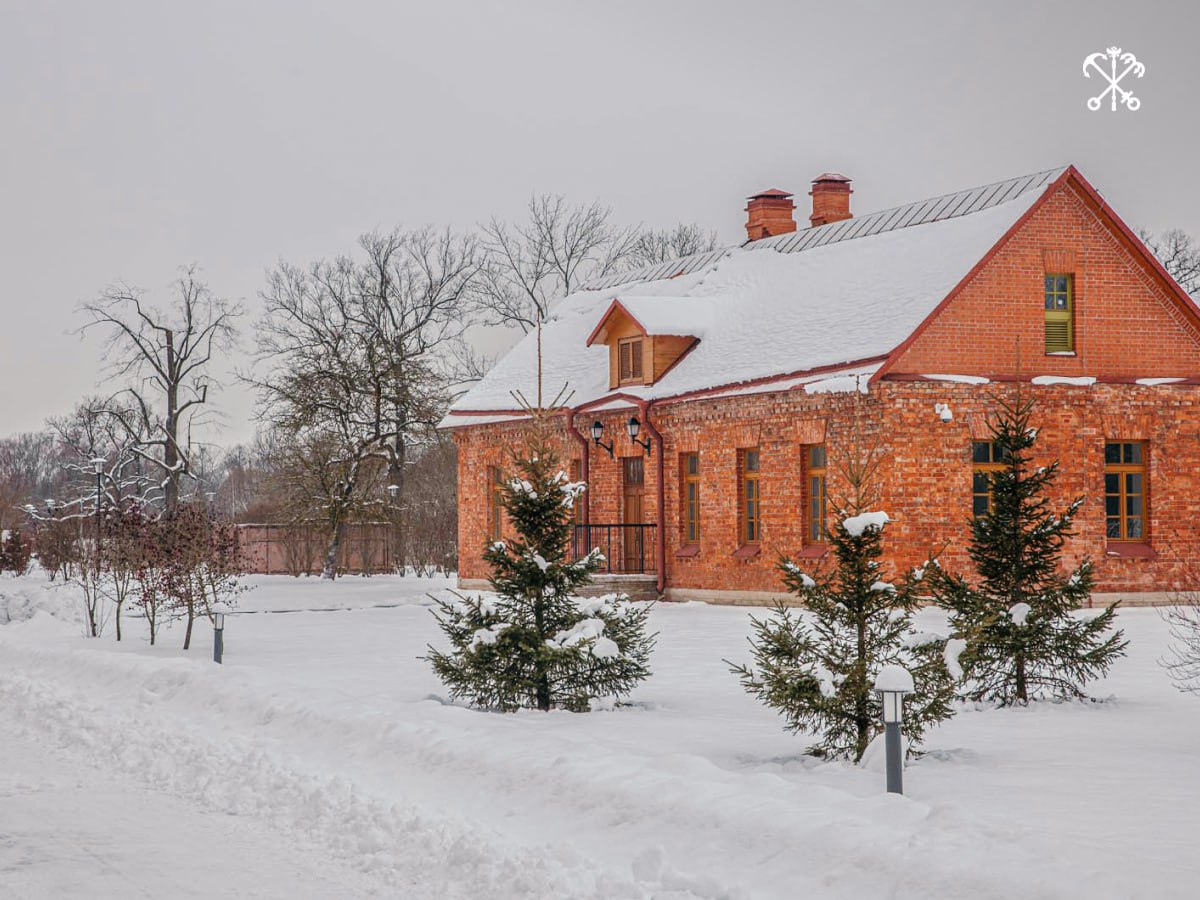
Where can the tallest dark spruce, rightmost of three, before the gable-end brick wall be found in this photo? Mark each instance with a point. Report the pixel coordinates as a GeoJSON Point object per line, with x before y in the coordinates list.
{"type": "Point", "coordinates": [1023, 641]}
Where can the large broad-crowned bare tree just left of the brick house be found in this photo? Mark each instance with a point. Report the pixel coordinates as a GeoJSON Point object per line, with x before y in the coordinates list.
{"type": "Point", "coordinates": [361, 359]}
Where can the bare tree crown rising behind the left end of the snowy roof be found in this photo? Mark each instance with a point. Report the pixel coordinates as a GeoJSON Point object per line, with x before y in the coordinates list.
{"type": "Point", "coordinates": [531, 266]}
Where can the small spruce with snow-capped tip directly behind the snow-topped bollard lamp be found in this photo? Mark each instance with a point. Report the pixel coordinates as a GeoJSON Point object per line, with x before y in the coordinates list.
{"type": "Point", "coordinates": [819, 668]}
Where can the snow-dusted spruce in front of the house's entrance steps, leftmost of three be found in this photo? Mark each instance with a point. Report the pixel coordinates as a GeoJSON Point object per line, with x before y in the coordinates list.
{"type": "Point", "coordinates": [537, 645]}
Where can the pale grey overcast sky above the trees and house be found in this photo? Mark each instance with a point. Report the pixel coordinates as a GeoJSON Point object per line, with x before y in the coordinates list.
{"type": "Point", "coordinates": [143, 136]}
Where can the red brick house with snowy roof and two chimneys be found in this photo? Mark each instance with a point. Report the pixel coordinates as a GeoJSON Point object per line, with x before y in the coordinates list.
{"type": "Point", "coordinates": [752, 374]}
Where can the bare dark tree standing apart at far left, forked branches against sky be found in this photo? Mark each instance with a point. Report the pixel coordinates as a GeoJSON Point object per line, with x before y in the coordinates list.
{"type": "Point", "coordinates": [167, 353]}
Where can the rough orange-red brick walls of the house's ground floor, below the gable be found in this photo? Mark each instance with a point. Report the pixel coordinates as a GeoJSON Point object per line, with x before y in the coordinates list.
{"type": "Point", "coordinates": [923, 481]}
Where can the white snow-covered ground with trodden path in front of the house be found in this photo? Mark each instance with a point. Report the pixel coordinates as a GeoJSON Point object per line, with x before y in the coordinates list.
{"type": "Point", "coordinates": [322, 761]}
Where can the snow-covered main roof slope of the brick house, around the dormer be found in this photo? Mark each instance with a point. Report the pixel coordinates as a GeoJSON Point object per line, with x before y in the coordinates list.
{"type": "Point", "coordinates": [843, 293]}
